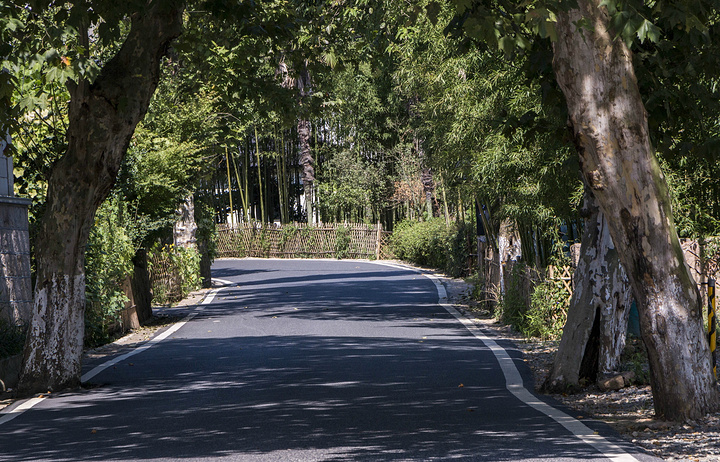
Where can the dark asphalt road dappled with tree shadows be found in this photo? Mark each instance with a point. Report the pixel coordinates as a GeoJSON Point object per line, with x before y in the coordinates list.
{"type": "Point", "coordinates": [309, 360]}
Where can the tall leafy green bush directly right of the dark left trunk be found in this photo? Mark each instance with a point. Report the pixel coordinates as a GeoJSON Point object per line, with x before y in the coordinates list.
{"type": "Point", "coordinates": [108, 263]}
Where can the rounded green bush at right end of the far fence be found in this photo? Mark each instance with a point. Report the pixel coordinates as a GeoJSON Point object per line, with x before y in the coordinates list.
{"type": "Point", "coordinates": [433, 243]}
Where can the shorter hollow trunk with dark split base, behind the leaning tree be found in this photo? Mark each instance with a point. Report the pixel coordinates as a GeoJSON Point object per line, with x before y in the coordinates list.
{"type": "Point", "coordinates": [594, 334]}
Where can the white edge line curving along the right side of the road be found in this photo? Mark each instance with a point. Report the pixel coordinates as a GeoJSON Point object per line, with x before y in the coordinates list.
{"type": "Point", "coordinates": [514, 382]}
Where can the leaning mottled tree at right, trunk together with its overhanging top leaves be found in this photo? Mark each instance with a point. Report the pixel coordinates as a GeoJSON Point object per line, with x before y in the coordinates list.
{"type": "Point", "coordinates": [594, 69]}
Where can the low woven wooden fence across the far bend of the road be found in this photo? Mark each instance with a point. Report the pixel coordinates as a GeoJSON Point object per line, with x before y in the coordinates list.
{"type": "Point", "coordinates": [302, 241]}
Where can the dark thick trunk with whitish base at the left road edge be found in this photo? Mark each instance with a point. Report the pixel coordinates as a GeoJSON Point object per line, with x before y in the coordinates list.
{"type": "Point", "coordinates": [103, 116]}
